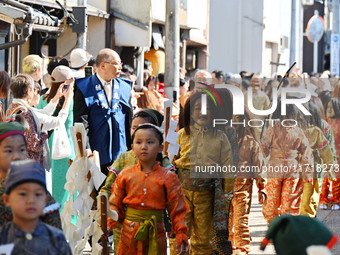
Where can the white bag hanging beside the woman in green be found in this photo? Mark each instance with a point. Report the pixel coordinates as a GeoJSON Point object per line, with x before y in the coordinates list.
{"type": "Point", "coordinates": [61, 147]}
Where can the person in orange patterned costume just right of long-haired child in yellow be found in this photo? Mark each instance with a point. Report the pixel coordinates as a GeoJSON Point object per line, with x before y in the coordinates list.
{"type": "Point", "coordinates": [251, 157]}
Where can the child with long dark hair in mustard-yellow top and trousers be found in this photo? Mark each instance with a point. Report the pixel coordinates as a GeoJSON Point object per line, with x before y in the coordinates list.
{"type": "Point", "coordinates": [202, 147]}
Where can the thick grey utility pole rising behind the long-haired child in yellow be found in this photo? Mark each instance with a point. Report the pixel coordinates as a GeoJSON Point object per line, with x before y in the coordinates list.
{"type": "Point", "coordinates": [172, 37]}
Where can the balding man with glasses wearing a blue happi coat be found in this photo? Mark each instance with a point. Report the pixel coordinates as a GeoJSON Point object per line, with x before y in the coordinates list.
{"type": "Point", "coordinates": [102, 104]}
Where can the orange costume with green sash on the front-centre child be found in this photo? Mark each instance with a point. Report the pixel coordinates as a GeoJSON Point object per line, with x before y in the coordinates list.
{"type": "Point", "coordinates": [137, 193]}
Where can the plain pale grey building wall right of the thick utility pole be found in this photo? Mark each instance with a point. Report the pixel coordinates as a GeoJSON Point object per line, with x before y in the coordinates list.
{"type": "Point", "coordinates": [236, 35]}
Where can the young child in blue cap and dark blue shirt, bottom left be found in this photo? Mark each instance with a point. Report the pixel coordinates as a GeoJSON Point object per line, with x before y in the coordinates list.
{"type": "Point", "coordinates": [26, 195]}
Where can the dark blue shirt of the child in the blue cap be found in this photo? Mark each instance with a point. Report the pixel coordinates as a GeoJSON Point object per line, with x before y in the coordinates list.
{"type": "Point", "coordinates": [44, 240]}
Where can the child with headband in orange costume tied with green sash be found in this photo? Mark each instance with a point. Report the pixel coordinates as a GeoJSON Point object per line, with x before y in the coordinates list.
{"type": "Point", "coordinates": [145, 190]}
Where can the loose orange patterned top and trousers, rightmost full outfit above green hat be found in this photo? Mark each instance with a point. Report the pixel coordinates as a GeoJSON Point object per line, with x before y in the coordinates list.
{"type": "Point", "coordinates": [290, 154]}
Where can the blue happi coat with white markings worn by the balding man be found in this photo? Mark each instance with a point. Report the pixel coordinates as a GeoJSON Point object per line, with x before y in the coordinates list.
{"type": "Point", "coordinates": [106, 124]}
